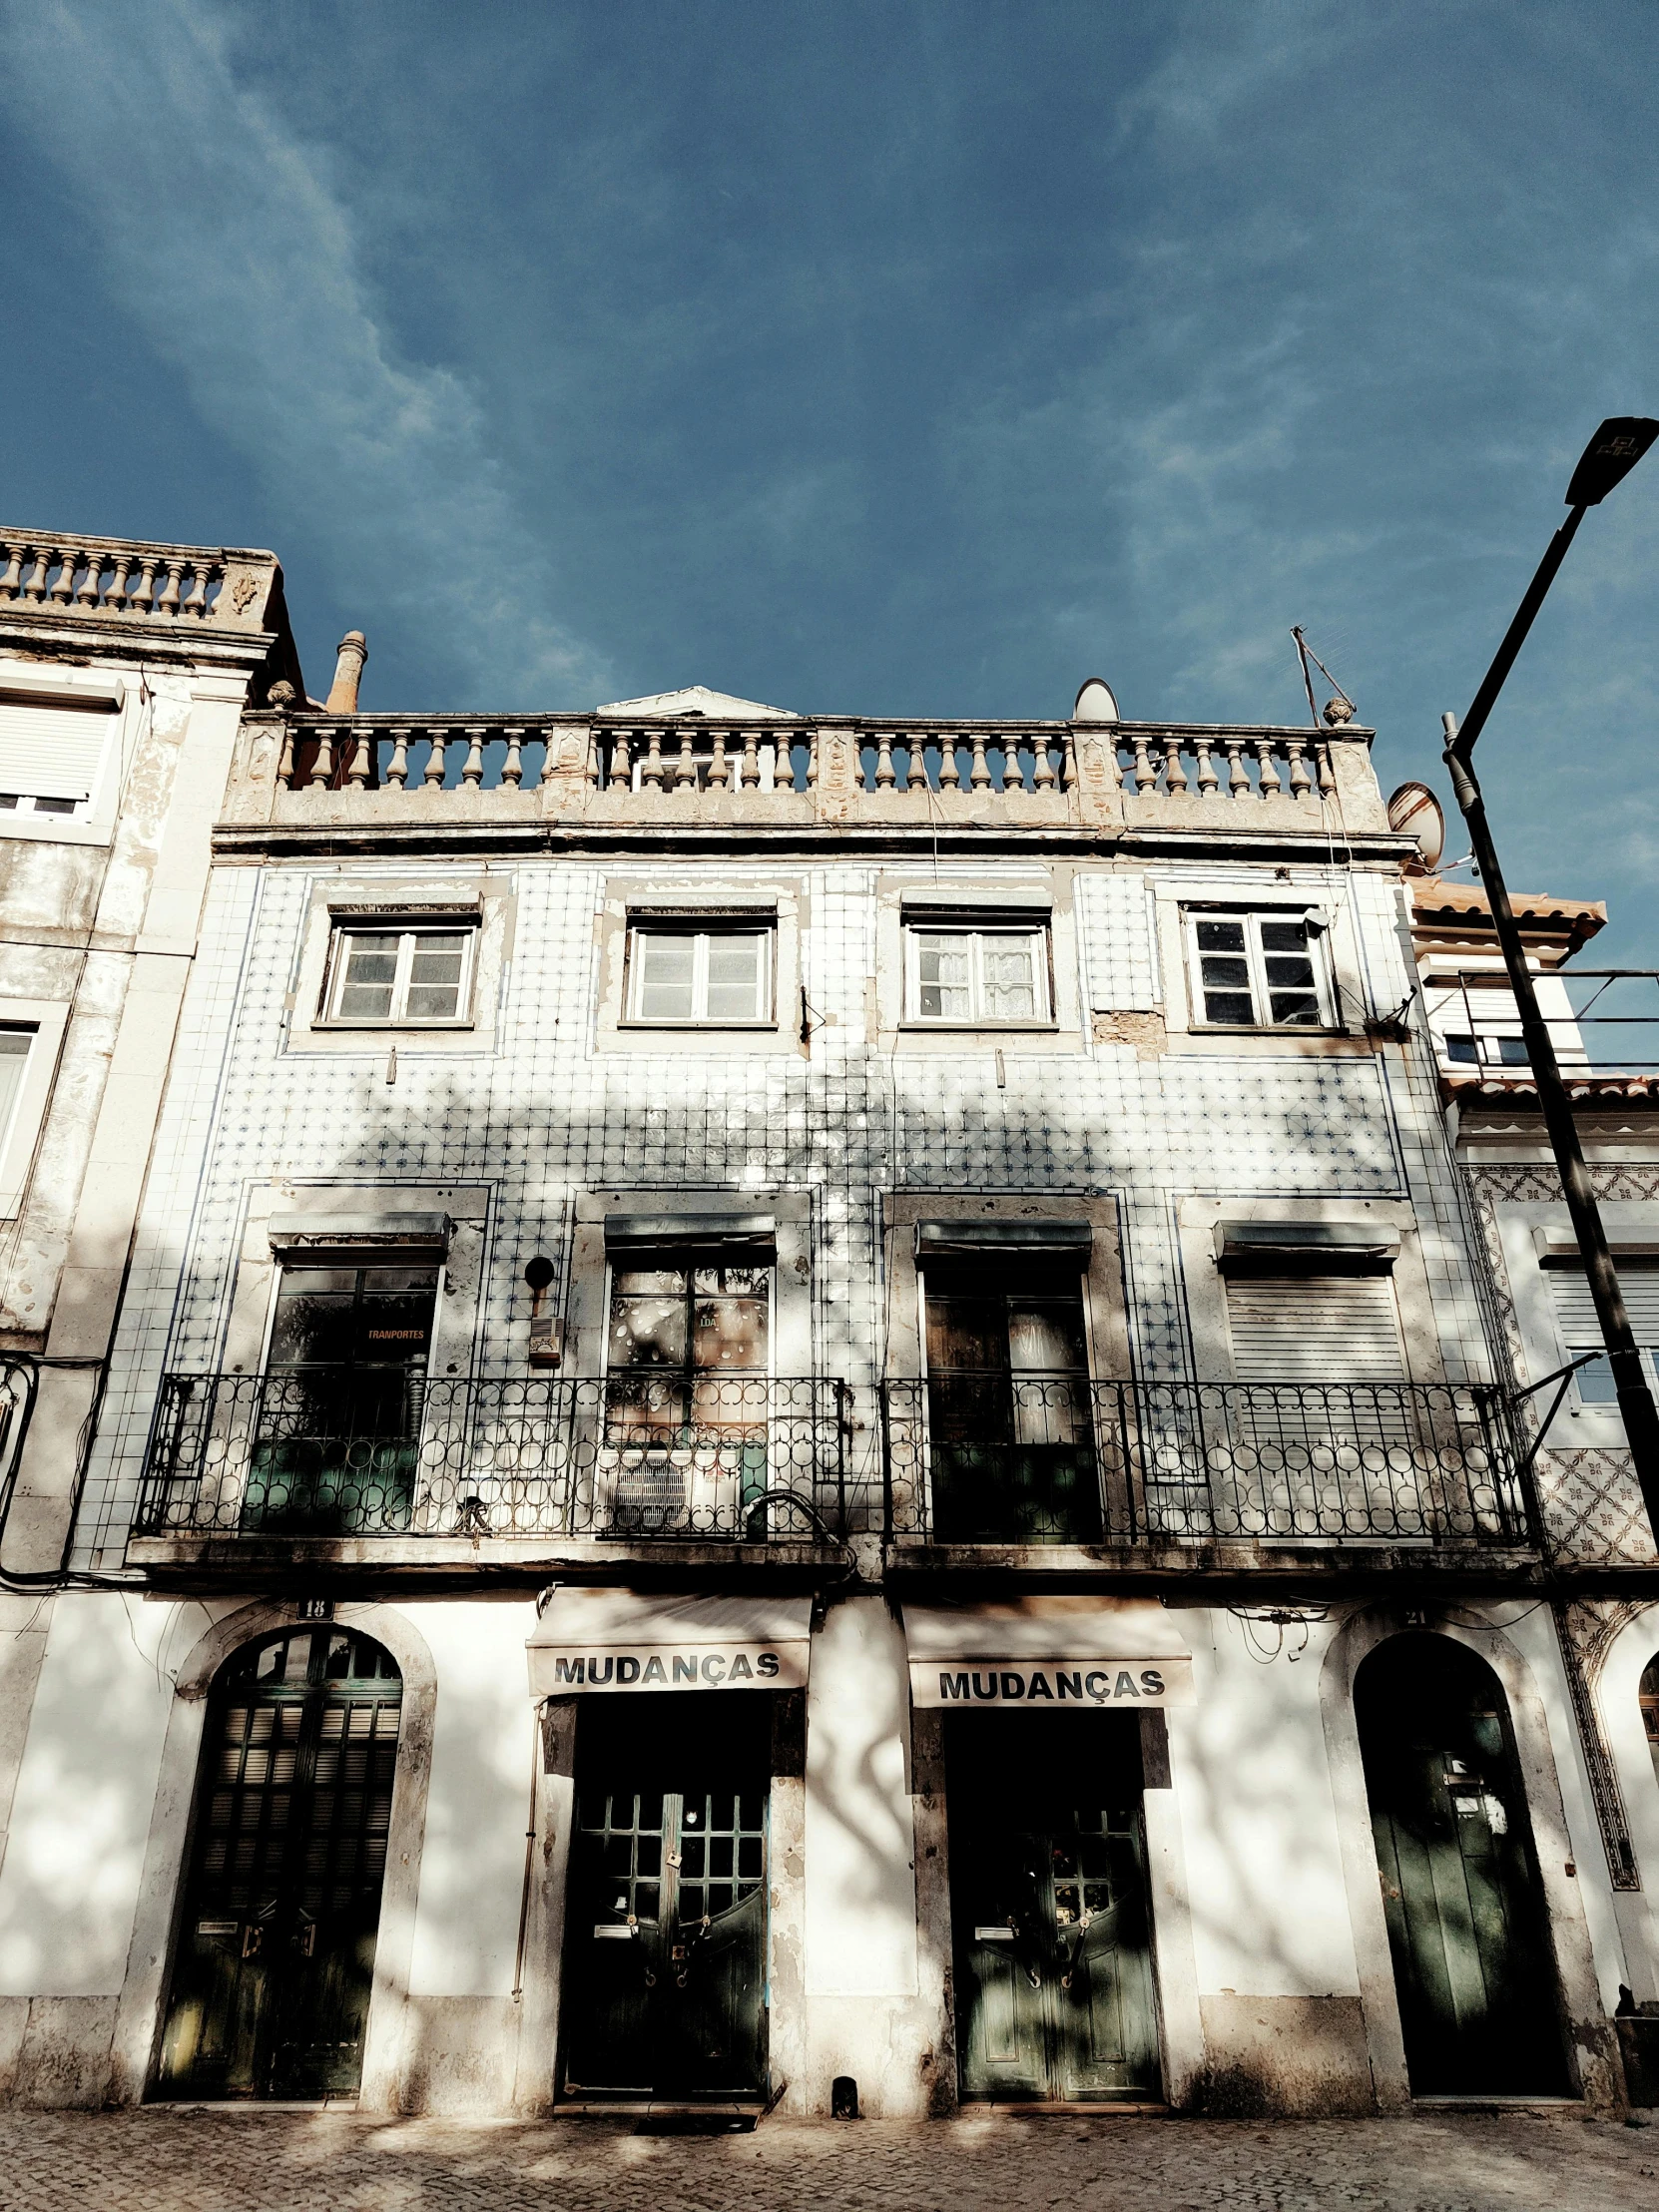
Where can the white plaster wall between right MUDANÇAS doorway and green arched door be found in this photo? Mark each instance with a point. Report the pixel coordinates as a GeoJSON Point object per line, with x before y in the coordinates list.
{"type": "Point", "coordinates": [1260, 1822]}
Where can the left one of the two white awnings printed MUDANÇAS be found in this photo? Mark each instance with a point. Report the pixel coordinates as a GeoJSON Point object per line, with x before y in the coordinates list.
{"type": "Point", "coordinates": [634, 1640]}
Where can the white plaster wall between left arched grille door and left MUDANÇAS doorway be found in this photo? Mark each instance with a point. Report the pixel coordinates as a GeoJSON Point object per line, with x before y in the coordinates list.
{"type": "Point", "coordinates": [472, 1861]}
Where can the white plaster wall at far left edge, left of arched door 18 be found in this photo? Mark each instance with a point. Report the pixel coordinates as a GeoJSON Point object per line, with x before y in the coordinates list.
{"type": "Point", "coordinates": [81, 1817]}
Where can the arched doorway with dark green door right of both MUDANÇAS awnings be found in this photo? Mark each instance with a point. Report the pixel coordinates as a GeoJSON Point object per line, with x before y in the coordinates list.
{"type": "Point", "coordinates": [1468, 1923]}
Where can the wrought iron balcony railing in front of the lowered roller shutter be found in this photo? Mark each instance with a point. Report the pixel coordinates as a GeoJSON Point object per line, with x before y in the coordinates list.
{"type": "Point", "coordinates": [1056, 1461]}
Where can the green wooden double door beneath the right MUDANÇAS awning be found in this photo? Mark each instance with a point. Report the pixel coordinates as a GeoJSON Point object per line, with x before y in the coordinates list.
{"type": "Point", "coordinates": [1054, 1965]}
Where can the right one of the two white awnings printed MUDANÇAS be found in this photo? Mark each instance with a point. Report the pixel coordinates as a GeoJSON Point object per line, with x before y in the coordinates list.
{"type": "Point", "coordinates": [1047, 1653]}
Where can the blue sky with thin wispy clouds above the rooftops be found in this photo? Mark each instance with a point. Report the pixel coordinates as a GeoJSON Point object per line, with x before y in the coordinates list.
{"type": "Point", "coordinates": [912, 357]}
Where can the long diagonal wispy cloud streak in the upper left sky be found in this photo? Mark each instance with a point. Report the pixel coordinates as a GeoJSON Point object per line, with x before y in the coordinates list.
{"type": "Point", "coordinates": [220, 236]}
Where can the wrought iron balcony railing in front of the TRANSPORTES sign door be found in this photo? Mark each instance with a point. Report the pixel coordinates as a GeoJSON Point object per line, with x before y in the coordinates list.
{"type": "Point", "coordinates": [388, 1454]}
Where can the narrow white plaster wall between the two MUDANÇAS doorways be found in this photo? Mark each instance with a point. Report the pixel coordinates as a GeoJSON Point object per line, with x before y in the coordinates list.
{"type": "Point", "coordinates": [862, 1841]}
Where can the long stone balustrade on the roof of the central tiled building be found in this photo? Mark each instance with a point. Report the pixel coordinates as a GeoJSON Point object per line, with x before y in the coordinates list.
{"type": "Point", "coordinates": [395, 771]}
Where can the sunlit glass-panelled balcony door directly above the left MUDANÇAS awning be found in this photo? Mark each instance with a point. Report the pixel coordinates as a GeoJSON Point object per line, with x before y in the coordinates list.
{"type": "Point", "coordinates": [687, 1390]}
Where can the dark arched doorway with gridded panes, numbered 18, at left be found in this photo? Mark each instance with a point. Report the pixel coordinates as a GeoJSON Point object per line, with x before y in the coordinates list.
{"type": "Point", "coordinates": [282, 1903]}
